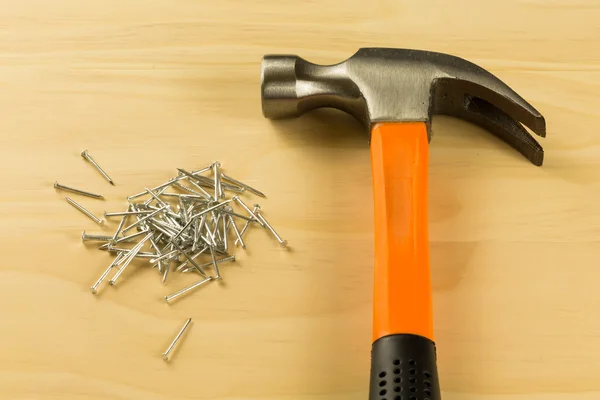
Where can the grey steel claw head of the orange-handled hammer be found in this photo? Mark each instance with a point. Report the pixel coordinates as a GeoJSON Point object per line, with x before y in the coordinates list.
{"type": "Point", "coordinates": [392, 85]}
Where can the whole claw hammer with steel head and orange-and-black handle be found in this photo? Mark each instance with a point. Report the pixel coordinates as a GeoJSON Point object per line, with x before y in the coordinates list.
{"type": "Point", "coordinates": [394, 93]}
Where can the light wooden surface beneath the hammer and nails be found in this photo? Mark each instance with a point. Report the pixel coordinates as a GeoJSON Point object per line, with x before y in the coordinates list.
{"type": "Point", "coordinates": [149, 86]}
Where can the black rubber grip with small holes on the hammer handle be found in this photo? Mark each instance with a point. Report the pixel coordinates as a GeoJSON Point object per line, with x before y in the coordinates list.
{"type": "Point", "coordinates": [404, 367]}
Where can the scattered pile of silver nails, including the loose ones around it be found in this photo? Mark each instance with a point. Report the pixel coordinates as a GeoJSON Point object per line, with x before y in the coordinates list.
{"type": "Point", "coordinates": [179, 221]}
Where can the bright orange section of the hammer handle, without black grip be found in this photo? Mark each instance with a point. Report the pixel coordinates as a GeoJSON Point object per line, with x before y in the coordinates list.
{"type": "Point", "coordinates": [402, 294]}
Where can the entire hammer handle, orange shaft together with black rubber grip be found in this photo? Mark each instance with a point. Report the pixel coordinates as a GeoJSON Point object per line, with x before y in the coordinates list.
{"type": "Point", "coordinates": [403, 354]}
